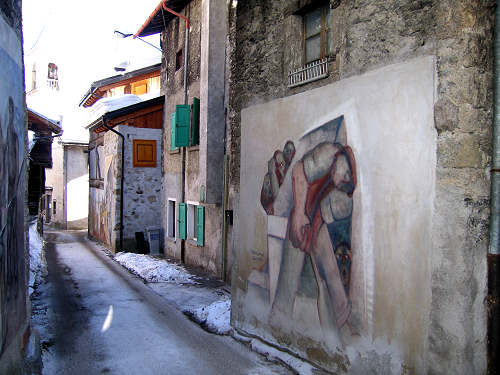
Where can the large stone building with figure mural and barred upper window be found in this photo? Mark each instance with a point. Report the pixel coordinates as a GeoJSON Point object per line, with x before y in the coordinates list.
{"type": "Point", "coordinates": [359, 139]}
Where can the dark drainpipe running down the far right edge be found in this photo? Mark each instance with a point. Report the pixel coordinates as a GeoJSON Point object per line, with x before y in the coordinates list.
{"type": "Point", "coordinates": [494, 249]}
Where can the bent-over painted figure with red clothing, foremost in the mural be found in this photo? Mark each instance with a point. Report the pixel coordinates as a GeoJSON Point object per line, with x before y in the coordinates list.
{"type": "Point", "coordinates": [320, 223]}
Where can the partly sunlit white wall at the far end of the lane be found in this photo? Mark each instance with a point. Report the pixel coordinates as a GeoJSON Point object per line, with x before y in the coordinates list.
{"type": "Point", "coordinates": [76, 184]}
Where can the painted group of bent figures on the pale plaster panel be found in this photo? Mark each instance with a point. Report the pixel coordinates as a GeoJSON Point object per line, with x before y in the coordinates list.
{"type": "Point", "coordinates": [307, 194]}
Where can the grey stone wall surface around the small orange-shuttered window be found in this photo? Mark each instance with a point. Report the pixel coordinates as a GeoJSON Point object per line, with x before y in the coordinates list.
{"type": "Point", "coordinates": [142, 187]}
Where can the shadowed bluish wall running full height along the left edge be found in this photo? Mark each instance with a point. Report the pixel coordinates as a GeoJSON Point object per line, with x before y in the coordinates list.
{"type": "Point", "coordinates": [13, 284]}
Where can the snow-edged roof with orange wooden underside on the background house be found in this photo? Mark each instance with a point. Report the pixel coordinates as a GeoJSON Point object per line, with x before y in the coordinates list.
{"type": "Point", "coordinates": [98, 88]}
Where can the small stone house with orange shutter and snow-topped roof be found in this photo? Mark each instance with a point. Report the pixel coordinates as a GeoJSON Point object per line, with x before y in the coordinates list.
{"type": "Point", "coordinates": [124, 171]}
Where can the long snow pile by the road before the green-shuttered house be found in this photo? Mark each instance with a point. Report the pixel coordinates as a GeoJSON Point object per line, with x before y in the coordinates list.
{"type": "Point", "coordinates": [153, 269]}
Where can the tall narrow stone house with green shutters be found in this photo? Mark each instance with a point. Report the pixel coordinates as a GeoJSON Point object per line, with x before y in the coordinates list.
{"type": "Point", "coordinates": [193, 164]}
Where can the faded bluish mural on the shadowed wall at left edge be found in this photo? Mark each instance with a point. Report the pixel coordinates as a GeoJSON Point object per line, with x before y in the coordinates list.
{"type": "Point", "coordinates": [11, 191]}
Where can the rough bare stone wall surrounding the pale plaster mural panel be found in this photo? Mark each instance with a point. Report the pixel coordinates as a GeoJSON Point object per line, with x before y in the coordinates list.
{"type": "Point", "coordinates": [368, 35]}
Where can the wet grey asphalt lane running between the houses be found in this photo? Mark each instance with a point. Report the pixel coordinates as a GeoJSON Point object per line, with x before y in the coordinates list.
{"type": "Point", "coordinates": [95, 318]}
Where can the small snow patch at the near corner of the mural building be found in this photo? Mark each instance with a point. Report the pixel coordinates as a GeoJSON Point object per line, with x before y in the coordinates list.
{"type": "Point", "coordinates": [214, 317]}
